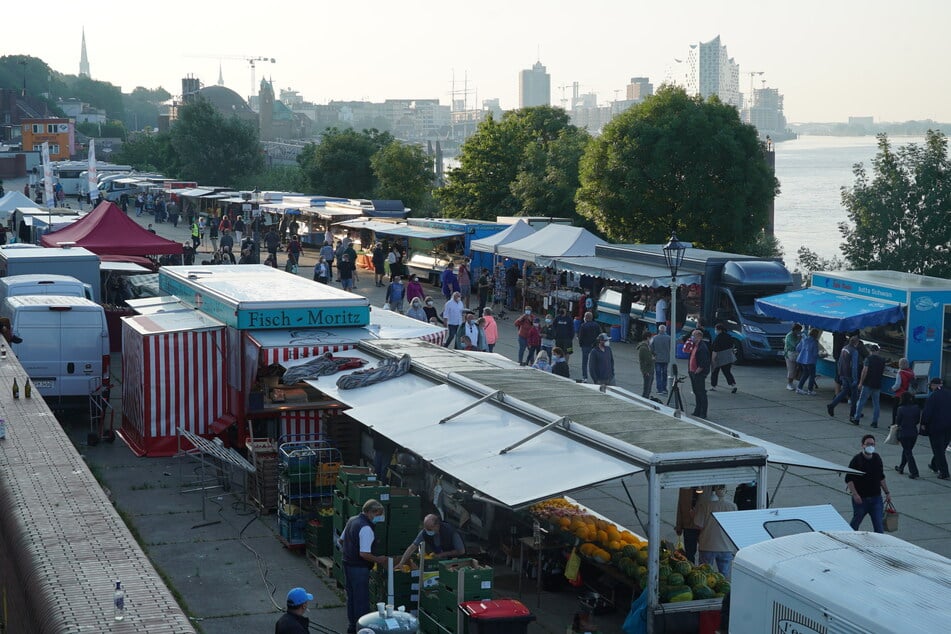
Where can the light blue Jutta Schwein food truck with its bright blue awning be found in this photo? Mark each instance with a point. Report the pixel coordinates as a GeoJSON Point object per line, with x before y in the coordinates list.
{"type": "Point", "coordinates": [906, 315]}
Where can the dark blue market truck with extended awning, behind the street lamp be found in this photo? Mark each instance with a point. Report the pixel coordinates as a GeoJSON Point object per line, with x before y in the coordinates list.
{"type": "Point", "coordinates": [720, 288]}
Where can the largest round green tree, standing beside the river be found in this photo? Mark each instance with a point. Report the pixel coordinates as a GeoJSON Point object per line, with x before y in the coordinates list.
{"type": "Point", "coordinates": [678, 163]}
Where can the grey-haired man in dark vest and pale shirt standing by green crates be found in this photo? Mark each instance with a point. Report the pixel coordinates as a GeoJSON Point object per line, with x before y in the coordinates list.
{"type": "Point", "coordinates": [356, 544]}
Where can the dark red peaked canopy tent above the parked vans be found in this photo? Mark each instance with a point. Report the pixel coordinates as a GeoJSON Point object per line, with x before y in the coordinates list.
{"type": "Point", "coordinates": [107, 230]}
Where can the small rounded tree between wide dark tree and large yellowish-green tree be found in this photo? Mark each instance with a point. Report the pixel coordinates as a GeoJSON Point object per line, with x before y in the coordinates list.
{"type": "Point", "coordinates": [404, 172]}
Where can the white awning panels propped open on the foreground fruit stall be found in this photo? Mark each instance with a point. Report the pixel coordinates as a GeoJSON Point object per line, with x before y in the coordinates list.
{"type": "Point", "coordinates": [469, 446]}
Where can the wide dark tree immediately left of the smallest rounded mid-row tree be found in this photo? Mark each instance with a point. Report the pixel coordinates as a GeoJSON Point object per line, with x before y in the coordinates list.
{"type": "Point", "coordinates": [340, 164]}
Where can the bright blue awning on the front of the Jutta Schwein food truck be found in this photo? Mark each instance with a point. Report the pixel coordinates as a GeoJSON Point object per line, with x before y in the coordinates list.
{"type": "Point", "coordinates": [835, 312]}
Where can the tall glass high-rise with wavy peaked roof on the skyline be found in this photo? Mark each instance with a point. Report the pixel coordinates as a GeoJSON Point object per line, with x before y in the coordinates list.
{"type": "Point", "coordinates": [709, 70]}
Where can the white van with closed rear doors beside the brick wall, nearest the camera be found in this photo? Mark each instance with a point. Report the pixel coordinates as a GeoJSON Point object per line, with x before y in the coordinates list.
{"type": "Point", "coordinates": [65, 347]}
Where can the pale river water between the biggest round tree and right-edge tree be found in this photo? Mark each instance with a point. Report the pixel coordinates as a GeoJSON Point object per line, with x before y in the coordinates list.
{"type": "Point", "coordinates": [812, 171]}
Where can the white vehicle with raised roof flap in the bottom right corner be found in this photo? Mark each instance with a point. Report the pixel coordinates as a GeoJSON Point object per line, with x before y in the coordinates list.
{"type": "Point", "coordinates": [803, 570]}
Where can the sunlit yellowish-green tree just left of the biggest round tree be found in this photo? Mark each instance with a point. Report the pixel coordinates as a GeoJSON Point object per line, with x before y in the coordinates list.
{"type": "Point", "coordinates": [525, 164]}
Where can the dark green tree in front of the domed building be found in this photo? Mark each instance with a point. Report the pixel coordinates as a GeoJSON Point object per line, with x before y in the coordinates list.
{"type": "Point", "coordinates": [212, 149]}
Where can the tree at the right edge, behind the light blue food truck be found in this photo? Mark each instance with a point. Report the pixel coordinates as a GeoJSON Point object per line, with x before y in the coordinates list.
{"type": "Point", "coordinates": [900, 214]}
